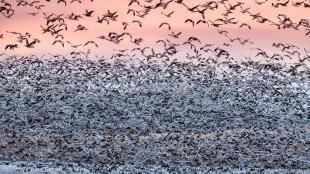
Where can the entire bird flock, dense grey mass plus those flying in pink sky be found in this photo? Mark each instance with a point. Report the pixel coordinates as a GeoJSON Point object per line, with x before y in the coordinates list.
{"type": "Point", "coordinates": [145, 111]}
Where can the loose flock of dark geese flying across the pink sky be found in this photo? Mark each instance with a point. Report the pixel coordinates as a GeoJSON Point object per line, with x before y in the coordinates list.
{"type": "Point", "coordinates": [57, 24]}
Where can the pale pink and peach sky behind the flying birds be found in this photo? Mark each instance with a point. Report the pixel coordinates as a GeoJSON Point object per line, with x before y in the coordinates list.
{"type": "Point", "coordinates": [263, 35]}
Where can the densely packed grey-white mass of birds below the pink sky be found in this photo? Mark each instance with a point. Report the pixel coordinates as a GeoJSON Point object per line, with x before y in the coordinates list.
{"type": "Point", "coordinates": [122, 115]}
